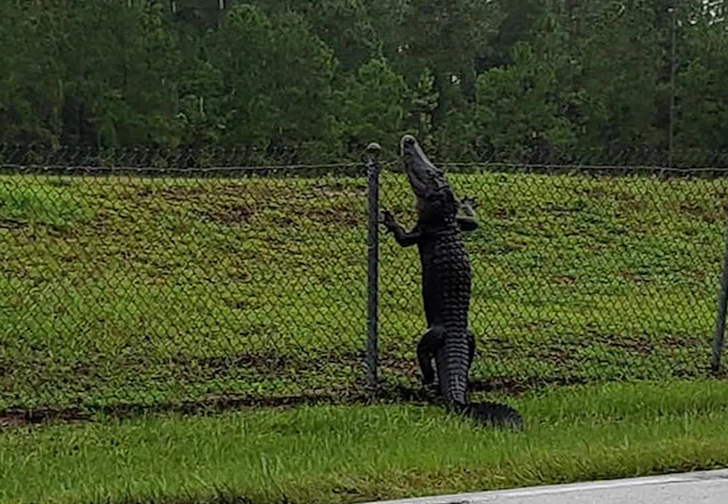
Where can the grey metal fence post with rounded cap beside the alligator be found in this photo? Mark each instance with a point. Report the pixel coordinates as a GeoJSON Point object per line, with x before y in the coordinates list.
{"type": "Point", "coordinates": [372, 164]}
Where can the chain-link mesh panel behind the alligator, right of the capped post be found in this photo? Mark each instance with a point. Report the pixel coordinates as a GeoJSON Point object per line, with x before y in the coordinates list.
{"type": "Point", "coordinates": [577, 276]}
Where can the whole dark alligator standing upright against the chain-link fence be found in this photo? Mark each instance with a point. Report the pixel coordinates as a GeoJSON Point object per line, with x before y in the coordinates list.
{"type": "Point", "coordinates": [446, 285]}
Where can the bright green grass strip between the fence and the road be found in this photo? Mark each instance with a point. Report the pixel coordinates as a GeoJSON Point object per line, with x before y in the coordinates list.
{"type": "Point", "coordinates": [349, 454]}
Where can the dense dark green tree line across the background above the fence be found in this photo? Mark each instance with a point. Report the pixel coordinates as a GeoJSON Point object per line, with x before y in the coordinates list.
{"type": "Point", "coordinates": [316, 80]}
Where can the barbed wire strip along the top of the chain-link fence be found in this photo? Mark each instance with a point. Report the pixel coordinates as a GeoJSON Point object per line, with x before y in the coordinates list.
{"type": "Point", "coordinates": [216, 157]}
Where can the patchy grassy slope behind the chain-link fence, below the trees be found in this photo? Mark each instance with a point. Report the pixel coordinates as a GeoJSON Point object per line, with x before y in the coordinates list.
{"type": "Point", "coordinates": [140, 290]}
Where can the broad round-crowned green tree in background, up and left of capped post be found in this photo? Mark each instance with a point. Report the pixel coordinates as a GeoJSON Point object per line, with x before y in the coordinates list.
{"type": "Point", "coordinates": [276, 80]}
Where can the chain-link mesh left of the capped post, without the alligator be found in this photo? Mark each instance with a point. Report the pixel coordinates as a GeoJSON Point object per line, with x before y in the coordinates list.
{"type": "Point", "coordinates": [145, 290]}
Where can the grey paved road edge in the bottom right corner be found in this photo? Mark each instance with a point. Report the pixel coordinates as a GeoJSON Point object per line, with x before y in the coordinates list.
{"type": "Point", "coordinates": [708, 487]}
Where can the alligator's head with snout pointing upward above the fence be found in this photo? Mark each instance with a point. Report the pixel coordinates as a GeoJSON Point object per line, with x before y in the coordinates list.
{"type": "Point", "coordinates": [435, 200]}
